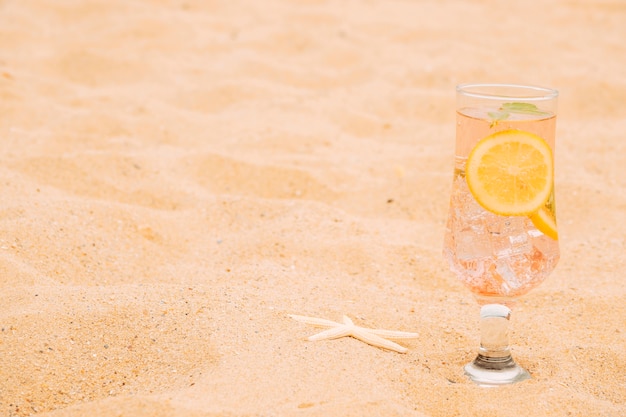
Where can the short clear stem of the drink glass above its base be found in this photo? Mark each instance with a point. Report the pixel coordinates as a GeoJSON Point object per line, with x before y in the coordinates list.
{"type": "Point", "coordinates": [494, 353]}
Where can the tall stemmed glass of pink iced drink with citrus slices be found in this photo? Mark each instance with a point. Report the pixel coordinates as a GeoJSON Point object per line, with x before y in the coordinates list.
{"type": "Point", "coordinates": [501, 238]}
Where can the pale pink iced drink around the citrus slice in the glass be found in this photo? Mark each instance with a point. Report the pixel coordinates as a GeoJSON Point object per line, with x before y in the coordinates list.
{"type": "Point", "coordinates": [496, 256]}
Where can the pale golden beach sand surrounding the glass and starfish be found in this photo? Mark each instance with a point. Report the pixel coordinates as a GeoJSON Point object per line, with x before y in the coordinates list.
{"type": "Point", "coordinates": [177, 177]}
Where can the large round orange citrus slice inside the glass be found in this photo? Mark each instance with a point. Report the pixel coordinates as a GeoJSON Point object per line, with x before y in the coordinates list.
{"type": "Point", "coordinates": [510, 173]}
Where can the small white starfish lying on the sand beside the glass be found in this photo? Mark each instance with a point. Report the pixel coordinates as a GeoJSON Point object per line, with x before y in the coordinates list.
{"type": "Point", "coordinates": [374, 337]}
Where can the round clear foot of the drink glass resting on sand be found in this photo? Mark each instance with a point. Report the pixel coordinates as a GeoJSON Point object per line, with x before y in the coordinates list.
{"type": "Point", "coordinates": [493, 372]}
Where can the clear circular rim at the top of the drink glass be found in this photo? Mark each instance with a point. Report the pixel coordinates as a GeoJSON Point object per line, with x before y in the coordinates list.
{"type": "Point", "coordinates": [540, 93]}
